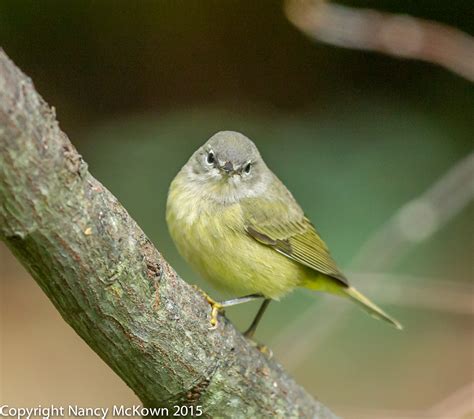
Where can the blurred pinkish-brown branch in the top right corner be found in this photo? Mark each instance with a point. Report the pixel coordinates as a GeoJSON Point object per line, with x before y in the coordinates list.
{"type": "Point", "coordinates": [398, 35]}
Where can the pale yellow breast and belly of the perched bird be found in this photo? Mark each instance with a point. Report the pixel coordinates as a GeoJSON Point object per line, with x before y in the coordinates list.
{"type": "Point", "coordinates": [231, 260]}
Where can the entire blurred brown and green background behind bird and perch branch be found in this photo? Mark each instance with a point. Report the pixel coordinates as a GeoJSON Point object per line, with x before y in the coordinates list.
{"type": "Point", "coordinates": [376, 149]}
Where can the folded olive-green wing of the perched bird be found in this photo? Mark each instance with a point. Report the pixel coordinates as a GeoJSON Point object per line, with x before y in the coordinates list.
{"type": "Point", "coordinates": [282, 225]}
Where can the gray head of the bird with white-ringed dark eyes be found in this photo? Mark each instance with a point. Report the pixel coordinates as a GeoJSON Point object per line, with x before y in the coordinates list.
{"type": "Point", "coordinates": [229, 166]}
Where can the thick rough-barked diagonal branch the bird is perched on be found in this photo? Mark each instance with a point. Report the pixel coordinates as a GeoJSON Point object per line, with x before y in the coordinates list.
{"type": "Point", "coordinates": [112, 285]}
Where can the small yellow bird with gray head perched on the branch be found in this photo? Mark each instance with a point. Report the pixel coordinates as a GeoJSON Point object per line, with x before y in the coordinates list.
{"type": "Point", "coordinates": [236, 223]}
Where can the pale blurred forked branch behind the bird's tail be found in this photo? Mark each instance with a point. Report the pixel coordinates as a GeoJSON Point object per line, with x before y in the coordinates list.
{"type": "Point", "coordinates": [413, 223]}
